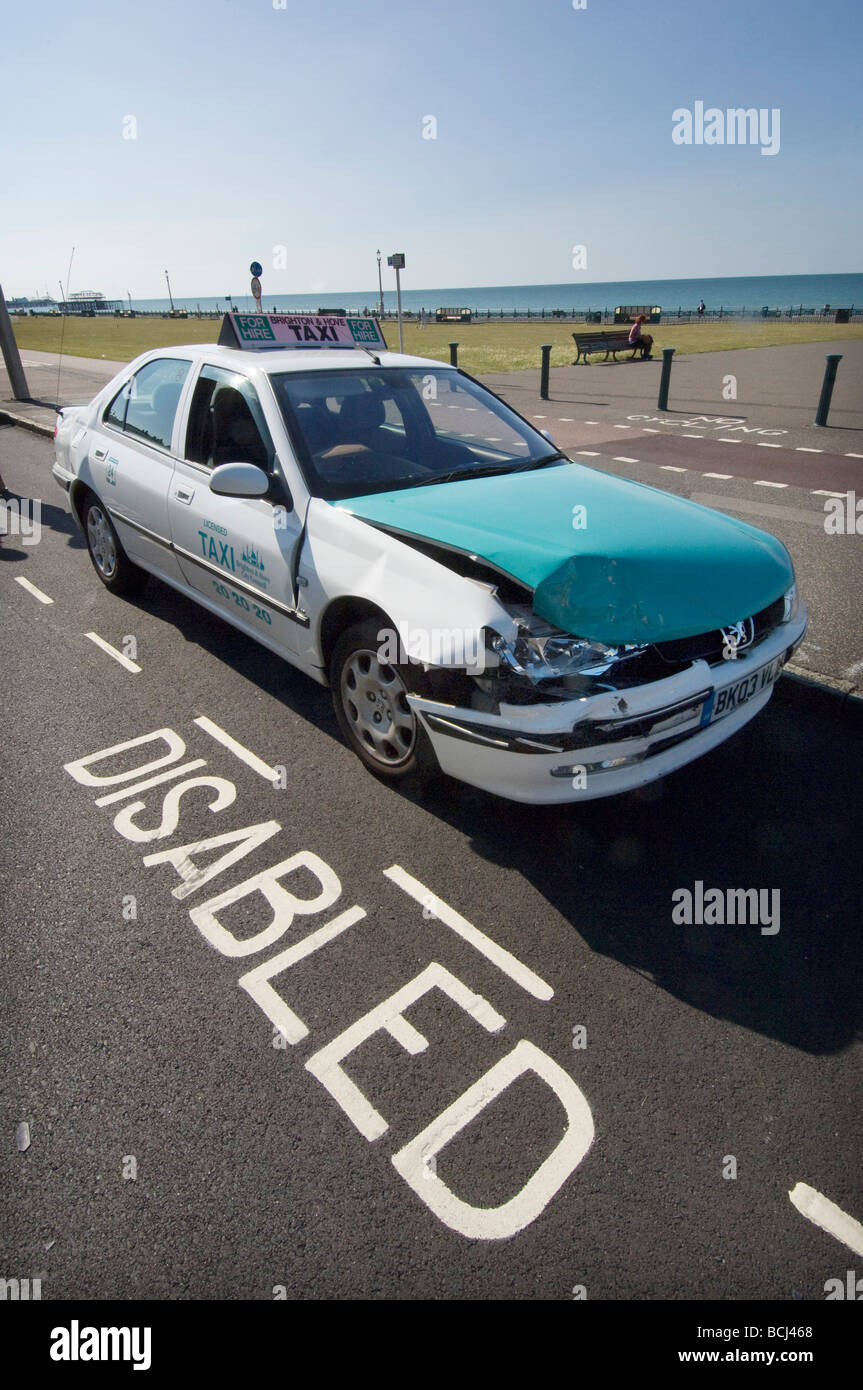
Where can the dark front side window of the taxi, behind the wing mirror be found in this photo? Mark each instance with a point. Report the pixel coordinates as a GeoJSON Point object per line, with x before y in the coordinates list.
{"type": "Point", "coordinates": [227, 423]}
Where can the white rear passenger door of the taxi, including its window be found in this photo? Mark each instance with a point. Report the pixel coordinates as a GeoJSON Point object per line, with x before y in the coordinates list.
{"type": "Point", "coordinates": [131, 461]}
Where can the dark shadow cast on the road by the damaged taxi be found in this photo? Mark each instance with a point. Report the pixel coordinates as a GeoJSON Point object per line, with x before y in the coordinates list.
{"type": "Point", "coordinates": [776, 808]}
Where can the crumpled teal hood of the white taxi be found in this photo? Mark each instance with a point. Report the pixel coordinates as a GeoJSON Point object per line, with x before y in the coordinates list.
{"type": "Point", "coordinates": [636, 566]}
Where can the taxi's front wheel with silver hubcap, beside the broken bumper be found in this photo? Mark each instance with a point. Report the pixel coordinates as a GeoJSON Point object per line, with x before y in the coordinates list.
{"type": "Point", "coordinates": [370, 701]}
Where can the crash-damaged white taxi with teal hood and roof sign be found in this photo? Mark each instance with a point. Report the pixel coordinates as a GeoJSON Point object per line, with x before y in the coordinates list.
{"type": "Point", "coordinates": [477, 603]}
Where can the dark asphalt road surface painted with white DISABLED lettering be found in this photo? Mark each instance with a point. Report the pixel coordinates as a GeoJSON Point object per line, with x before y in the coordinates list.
{"type": "Point", "coordinates": [482, 1061]}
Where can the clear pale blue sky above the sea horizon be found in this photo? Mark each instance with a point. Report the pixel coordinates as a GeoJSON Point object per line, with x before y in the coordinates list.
{"type": "Point", "coordinates": [304, 127]}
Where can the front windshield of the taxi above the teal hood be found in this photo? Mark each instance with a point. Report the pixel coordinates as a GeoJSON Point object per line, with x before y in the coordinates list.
{"type": "Point", "coordinates": [384, 429]}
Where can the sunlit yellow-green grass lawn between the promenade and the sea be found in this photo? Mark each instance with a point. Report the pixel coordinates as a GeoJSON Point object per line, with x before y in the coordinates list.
{"type": "Point", "coordinates": [483, 347]}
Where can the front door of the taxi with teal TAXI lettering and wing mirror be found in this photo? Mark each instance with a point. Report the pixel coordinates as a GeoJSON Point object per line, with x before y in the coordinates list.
{"type": "Point", "coordinates": [238, 553]}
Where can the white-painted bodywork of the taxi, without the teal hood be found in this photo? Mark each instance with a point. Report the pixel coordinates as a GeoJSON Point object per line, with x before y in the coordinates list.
{"type": "Point", "coordinates": [295, 578]}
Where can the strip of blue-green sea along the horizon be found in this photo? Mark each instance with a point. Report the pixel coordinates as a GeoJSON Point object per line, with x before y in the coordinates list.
{"type": "Point", "coordinates": [750, 293]}
